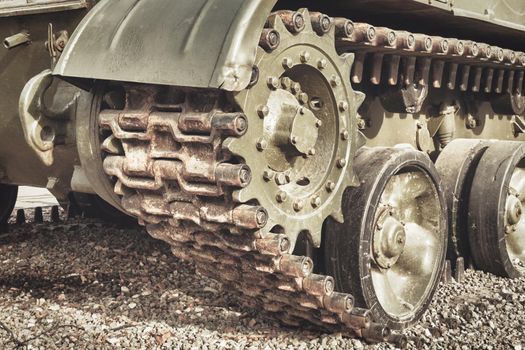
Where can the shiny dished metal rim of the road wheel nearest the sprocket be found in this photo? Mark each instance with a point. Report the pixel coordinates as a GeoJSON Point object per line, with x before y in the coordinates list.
{"type": "Point", "coordinates": [404, 240]}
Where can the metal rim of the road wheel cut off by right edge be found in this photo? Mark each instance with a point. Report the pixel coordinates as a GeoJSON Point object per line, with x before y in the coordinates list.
{"type": "Point", "coordinates": [515, 220]}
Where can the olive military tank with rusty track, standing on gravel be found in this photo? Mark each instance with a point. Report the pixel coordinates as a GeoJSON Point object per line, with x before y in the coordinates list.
{"type": "Point", "coordinates": [324, 159]}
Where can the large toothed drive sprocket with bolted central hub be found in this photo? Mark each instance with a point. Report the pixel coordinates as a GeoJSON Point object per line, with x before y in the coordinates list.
{"type": "Point", "coordinates": [302, 136]}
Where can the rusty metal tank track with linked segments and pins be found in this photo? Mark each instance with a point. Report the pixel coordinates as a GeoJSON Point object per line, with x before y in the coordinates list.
{"type": "Point", "coordinates": [168, 164]}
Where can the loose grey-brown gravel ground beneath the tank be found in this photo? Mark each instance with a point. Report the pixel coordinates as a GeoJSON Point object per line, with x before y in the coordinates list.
{"type": "Point", "coordinates": [86, 285]}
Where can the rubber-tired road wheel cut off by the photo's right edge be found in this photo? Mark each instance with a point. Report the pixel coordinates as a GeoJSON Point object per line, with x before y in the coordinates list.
{"type": "Point", "coordinates": [496, 220]}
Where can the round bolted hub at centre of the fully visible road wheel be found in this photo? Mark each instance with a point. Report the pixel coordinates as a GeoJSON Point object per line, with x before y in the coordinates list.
{"type": "Point", "coordinates": [389, 239]}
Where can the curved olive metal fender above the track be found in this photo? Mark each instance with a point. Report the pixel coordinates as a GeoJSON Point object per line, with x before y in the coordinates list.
{"type": "Point", "coordinates": [195, 43]}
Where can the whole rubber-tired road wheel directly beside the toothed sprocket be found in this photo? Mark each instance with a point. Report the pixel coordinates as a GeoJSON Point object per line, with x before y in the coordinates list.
{"type": "Point", "coordinates": [390, 251]}
